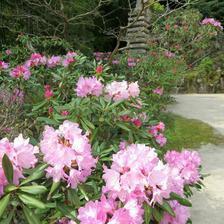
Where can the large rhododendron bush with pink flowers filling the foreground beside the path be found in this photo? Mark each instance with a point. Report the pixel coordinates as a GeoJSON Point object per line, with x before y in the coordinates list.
{"type": "Point", "coordinates": [95, 153]}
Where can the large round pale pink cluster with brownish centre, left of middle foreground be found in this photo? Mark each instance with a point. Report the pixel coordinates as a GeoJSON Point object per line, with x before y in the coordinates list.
{"type": "Point", "coordinates": [68, 153]}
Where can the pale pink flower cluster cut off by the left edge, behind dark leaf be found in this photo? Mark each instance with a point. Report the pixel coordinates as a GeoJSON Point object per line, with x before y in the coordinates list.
{"type": "Point", "coordinates": [21, 155]}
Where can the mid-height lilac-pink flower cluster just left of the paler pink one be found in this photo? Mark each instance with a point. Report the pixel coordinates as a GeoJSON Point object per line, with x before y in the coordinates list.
{"type": "Point", "coordinates": [89, 86]}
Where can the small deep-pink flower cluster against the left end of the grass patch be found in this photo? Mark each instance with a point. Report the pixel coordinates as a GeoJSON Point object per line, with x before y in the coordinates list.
{"type": "Point", "coordinates": [156, 132]}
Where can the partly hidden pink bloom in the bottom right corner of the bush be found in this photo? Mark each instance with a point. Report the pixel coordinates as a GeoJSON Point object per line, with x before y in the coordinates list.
{"type": "Point", "coordinates": [182, 214]}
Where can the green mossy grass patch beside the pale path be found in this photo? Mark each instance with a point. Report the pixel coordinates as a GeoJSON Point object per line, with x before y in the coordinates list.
{"type": "Point", "coordinates": [189, 133]}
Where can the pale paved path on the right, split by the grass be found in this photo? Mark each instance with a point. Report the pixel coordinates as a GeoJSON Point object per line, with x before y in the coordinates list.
{"type": "Point", "coordinates": [208, 205]}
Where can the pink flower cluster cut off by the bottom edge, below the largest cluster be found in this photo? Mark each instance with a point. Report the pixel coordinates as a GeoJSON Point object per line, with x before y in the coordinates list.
{"type": "Point", "coordinates": [108, 211]}
